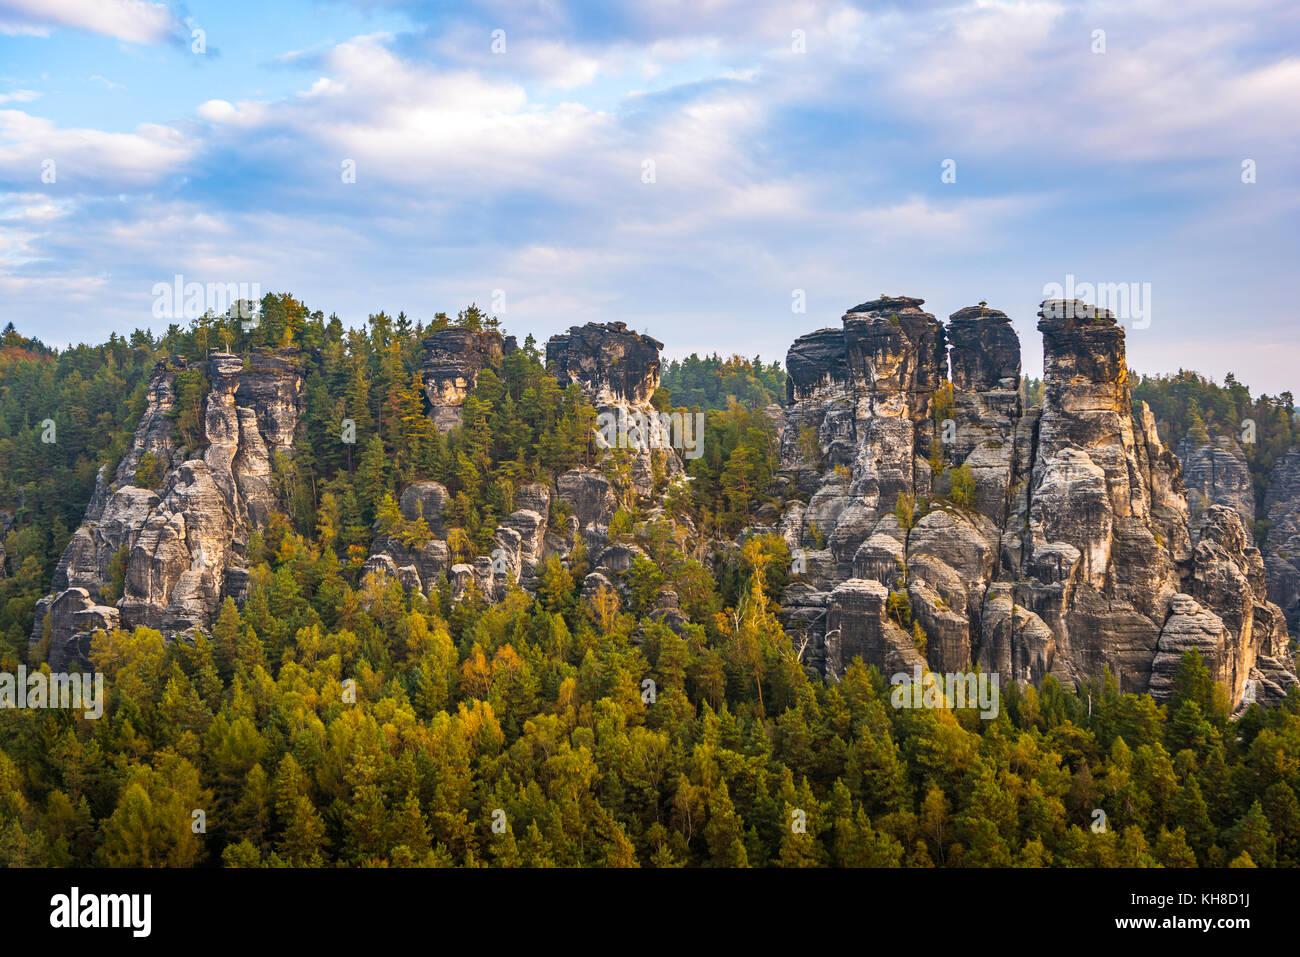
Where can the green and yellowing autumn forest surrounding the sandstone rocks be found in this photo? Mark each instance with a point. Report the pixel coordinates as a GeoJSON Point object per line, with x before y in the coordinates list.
{"type": "Point", "coordinates": [337, 720]}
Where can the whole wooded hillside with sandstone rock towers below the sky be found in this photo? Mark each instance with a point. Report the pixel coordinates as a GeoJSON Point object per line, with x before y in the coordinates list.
{"type": "Point", "coordinates": [362, 592]}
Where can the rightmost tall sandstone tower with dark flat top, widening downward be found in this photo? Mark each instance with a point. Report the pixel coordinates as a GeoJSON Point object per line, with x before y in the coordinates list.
{"type": "Point", "coordinates": [1098, 565]}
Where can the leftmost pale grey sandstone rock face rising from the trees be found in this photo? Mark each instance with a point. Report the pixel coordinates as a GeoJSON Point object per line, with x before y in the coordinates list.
{"type": "Point", "coordinates": [187, 542]}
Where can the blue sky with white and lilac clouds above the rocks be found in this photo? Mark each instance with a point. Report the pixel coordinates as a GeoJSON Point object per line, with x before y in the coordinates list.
{"type": "Point", "coordinates": [699, 170]}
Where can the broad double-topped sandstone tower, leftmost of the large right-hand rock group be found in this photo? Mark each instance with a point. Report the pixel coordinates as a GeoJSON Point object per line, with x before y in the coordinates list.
{"type": "Point", "coordinates": [857, 435]}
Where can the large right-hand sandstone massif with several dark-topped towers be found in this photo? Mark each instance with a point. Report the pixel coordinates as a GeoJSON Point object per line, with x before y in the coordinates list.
{"type": "Point", "coordinates": [1056, 540]}
